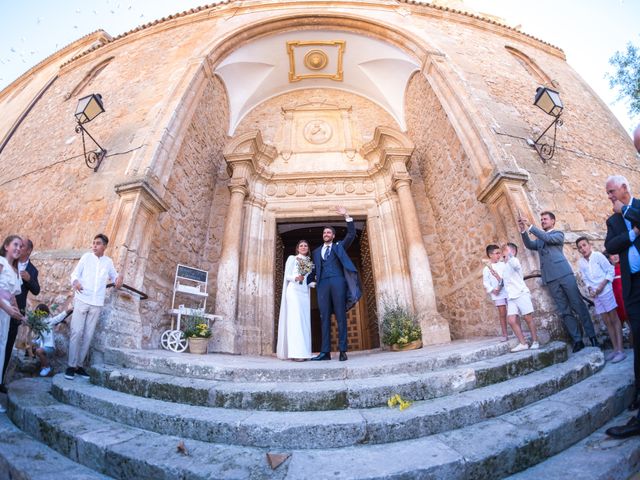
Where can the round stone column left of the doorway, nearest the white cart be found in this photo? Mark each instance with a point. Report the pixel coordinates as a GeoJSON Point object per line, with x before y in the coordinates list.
{"type": "Point", "coordinates": [224, 331]}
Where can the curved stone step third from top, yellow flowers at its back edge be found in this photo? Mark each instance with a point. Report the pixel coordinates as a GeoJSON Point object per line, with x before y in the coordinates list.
{"type": "Point", "coordinates": [327, 429]}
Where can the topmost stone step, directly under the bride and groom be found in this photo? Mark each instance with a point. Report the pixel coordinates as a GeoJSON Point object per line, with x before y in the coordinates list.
{"type": "Point", "coordinates": [242, 368]}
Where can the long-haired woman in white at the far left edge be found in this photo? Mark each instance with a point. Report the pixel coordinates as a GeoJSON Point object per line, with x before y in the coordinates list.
{"type": "Point", "coordinates": [10, 283]}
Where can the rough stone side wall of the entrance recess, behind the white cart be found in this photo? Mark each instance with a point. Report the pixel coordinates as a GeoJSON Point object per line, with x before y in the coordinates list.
{"type": "Point", "coordinates": [190, 231]}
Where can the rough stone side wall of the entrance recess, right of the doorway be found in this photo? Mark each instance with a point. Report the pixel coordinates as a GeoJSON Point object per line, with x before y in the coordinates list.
{"type": "Point", "coordinates": [455, 226]}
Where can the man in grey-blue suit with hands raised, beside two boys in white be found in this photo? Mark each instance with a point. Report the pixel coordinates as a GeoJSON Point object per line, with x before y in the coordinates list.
{"type": "Point", "coordinates": [558, 276]}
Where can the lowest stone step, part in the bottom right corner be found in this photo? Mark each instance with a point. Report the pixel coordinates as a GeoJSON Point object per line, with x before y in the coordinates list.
{"type": "Point", "coordinates": [596, 457]}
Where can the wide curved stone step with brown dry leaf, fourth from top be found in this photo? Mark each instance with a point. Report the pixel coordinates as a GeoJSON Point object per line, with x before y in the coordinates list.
{"type": "Point", "coordinates": [494, 448]}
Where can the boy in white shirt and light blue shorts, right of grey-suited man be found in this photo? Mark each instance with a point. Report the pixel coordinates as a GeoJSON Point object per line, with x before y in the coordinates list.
{"type": "Point", "coordinates": [597, 274]}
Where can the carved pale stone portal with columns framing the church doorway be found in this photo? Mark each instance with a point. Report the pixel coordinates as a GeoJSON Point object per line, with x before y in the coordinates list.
{"type": "Point", "coordinates": [375, 188]}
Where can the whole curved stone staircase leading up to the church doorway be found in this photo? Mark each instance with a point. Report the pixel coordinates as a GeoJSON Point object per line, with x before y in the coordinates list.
{"type": "Point", "coordinates": [478, 412]}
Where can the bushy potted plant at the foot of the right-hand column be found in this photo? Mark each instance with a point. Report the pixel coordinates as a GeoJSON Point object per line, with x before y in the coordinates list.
{"type": "Point", "coordinates": [400, 329]}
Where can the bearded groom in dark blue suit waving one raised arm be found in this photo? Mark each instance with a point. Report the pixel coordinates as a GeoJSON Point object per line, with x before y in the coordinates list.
{"type": "Point", "coordinates": [338, 287]}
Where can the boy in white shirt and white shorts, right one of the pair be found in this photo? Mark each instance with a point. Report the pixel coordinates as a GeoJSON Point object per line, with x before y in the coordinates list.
{"type": "Point", "coordinates": [518, 298]}
